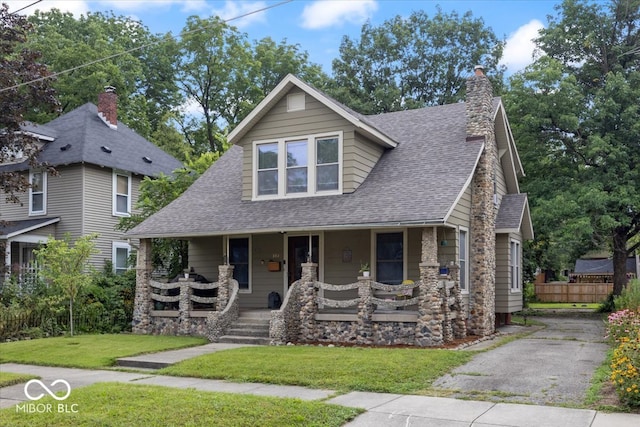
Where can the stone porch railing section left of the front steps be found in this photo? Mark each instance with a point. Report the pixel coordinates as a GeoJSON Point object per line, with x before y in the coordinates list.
{"type": "Point", "coordinates": [211, 322]}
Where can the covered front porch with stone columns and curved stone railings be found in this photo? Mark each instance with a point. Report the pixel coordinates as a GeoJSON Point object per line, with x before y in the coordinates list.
{"type": "Point", "coordinates": [413, 295]}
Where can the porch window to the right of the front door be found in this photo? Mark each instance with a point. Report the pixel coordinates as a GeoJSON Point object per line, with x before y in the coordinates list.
{"type": "Point", "coordinates": [389, 258]}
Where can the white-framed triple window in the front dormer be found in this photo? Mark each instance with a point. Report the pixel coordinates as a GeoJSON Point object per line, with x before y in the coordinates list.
{"type": "Point", "coordinates": [311, 166]}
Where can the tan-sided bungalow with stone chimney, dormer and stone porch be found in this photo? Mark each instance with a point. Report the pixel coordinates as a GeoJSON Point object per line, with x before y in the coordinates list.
{"type": "Point", "coordinates": [311, 194]}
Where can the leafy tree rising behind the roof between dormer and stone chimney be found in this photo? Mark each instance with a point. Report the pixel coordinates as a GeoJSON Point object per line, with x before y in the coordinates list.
{"type": "Point", "coordinates": [414, 62]}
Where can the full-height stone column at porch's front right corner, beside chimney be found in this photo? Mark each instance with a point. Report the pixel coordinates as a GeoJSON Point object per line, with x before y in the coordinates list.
{"type": "Point", "coordinates": [429, 324]}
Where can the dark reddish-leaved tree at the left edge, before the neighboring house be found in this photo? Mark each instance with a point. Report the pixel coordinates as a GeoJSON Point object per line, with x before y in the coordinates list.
{"type": "Point", "coordinates": [24, 88]}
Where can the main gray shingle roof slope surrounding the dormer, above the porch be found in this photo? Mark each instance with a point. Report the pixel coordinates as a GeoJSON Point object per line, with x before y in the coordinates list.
{"type": "Point", "coordinates": [417, 182]}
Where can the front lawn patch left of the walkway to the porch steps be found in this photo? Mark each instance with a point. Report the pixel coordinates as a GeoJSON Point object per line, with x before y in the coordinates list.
{"type": "Point", "coordinates": [89, 351]}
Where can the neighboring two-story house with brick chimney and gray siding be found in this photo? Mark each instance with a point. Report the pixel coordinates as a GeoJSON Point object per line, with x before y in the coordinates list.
{"type": "Point", "coordinates": [100, 163]}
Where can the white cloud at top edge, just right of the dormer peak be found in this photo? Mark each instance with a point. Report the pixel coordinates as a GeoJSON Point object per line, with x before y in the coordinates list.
{"type": "Point", "coordinates": [323, 13]}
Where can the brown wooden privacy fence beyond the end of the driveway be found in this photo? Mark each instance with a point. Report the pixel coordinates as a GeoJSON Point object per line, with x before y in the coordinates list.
{"type": "Point", "coordinates": [573, 292]}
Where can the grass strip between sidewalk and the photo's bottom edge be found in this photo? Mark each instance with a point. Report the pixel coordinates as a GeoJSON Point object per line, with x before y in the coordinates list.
{"type": "Point", "coordinates": [111, 404]}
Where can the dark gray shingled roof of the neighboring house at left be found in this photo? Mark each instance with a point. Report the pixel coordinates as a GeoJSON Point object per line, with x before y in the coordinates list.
{"type": "Point", "coordinates": [80, 136]}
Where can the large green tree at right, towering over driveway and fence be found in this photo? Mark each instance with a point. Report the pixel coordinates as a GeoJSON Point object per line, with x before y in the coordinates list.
{"type": "Point", "coordinates": [579, 122]}
